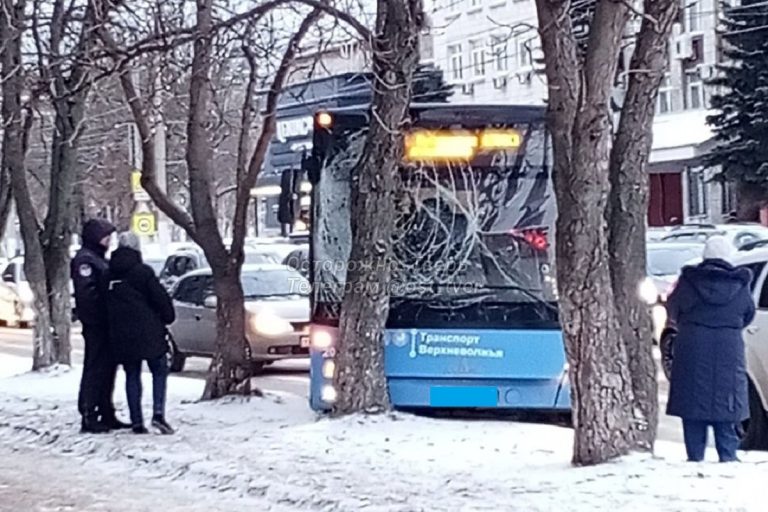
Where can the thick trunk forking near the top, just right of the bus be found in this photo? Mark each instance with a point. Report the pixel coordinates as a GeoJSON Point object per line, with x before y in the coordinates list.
{"type": "Point", "coordinates": [580, 122]}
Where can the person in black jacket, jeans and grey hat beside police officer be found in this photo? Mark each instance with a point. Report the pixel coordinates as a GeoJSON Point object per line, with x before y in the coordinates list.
{"type": "Point", "coordinates": [139, 309]}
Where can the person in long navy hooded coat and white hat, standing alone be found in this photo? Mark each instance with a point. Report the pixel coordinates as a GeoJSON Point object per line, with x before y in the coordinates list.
{"type": "Point", "coordinates": [710, 307]}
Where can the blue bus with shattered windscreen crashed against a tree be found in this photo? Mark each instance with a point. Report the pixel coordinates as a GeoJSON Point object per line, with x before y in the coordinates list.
{"type": "Point", "coordinates": [473, 321]}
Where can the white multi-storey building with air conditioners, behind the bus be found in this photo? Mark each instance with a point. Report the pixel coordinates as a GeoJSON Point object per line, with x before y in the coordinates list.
{"type": "Point", "coordinates": [490, 51]}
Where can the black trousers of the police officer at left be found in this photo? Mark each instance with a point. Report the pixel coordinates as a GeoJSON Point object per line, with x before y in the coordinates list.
{"type": "Point", "coordinates": [97, 384]}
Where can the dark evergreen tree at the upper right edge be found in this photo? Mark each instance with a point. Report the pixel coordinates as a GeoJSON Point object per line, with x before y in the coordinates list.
{"type": "Point", "coordinates": [741, 121]}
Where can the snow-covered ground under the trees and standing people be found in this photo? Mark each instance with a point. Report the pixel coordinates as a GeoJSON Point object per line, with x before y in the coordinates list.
{"type": "Point", "coordinates": [275, 451]}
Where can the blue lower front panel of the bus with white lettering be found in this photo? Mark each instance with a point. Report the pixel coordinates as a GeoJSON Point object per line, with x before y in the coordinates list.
{"type": "Point", "coordinates": [449, 368]}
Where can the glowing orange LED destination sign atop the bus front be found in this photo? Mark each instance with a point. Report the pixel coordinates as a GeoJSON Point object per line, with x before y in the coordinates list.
{"type": "Point", "coordinates": [457, 145]}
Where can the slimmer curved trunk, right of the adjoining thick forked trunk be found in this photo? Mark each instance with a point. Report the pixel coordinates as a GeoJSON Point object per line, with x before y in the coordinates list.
{"type": "Point", "coordinates": [628, 210]}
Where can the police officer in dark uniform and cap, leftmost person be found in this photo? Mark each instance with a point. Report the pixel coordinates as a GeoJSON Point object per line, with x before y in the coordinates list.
{"type": "Point", "coordinates": [99, 369]}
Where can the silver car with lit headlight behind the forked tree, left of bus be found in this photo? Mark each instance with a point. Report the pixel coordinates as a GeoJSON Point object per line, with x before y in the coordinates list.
{"type": "Point", "coordinates": [276, 314]}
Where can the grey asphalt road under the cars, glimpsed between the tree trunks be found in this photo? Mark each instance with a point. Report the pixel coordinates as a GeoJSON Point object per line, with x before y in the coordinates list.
{"type": "Point", "coordinates": [287, 377]}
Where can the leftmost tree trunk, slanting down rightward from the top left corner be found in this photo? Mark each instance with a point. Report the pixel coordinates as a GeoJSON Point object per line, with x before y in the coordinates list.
{"type": "Point", "coordinates": [11, 27]}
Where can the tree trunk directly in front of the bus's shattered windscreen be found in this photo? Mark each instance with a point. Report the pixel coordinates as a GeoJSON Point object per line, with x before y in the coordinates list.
{"type": "Point", "coordinates": [359, 379]}
